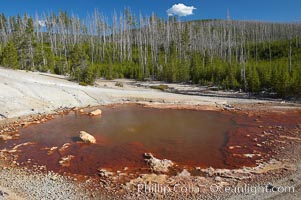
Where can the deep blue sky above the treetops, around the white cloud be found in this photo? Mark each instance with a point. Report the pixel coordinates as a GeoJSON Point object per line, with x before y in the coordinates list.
{"type": "Point", "coordinates": [264, 10]}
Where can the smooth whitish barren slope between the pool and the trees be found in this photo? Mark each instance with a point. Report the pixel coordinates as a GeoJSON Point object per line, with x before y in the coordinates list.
{"type": "Point", "coordinates": [24, 93]}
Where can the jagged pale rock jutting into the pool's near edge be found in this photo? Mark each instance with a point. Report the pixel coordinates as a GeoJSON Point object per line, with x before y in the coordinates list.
{"type": "Point", "coordinates": [156, 164]}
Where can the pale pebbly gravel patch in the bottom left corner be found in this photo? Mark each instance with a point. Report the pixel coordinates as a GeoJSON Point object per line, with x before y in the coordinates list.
{"type": "Point", "coordinates": [24, 184]}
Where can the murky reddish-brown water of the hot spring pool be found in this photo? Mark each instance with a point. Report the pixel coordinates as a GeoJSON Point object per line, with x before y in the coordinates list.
{"type": "Point", "coordinates": [123, 134]}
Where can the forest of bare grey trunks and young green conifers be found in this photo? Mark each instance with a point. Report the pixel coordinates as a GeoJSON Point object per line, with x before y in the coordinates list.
{"type": "Point", "coordinates": [248, 55]}
